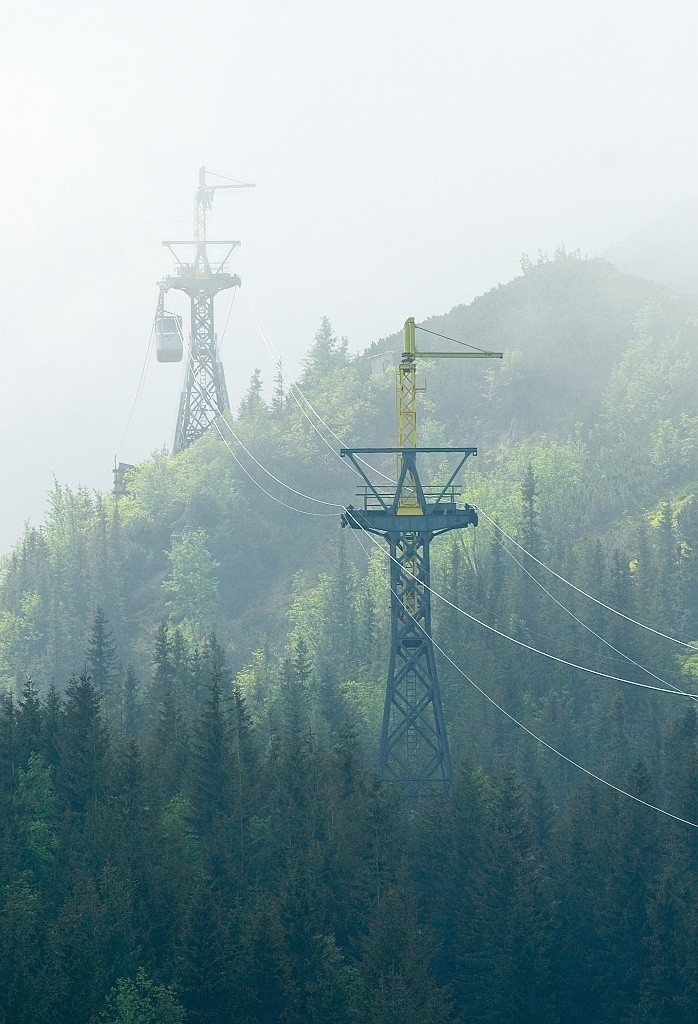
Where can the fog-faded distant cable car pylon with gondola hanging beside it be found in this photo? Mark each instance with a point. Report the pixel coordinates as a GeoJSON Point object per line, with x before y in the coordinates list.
{"type": "Point", "coordinates": [204, 395]}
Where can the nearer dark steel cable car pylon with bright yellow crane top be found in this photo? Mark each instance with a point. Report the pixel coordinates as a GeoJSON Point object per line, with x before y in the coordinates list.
{"type": "Point", "coordinates": [414, 743]}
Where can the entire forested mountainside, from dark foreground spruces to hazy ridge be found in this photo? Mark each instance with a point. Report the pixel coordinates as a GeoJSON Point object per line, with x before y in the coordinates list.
{"type": "Point", "coordinates": [188, 779]}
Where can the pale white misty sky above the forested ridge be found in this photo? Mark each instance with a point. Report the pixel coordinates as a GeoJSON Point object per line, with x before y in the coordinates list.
{"type": "Point", "coordinates": [405, 155]}
